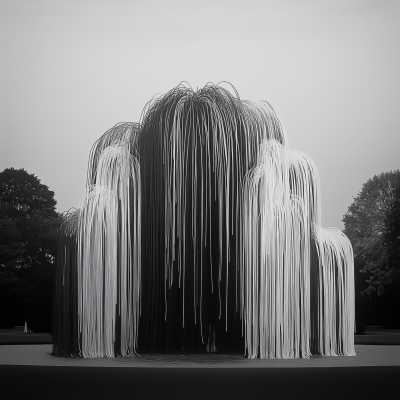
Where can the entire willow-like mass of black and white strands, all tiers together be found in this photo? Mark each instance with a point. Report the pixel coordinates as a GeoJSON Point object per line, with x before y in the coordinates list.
{"type": "Point", "coordinates": [200, 232]}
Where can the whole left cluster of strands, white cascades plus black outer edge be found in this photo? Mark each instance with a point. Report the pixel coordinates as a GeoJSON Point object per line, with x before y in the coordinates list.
{"type": "Point", "coordinates": [97, 290]}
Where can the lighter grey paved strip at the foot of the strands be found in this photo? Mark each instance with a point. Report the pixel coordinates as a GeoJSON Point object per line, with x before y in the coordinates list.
{"type": "Point", "coordinates": [39, 355]}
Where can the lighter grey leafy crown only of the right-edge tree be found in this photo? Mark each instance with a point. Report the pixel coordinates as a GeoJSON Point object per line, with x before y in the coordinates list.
{"type": "Point", "coordinates": [368, 221]}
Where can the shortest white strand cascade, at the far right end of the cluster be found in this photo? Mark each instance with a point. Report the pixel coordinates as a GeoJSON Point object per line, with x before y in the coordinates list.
{"type": "Point", "coordinates": [334, 309]}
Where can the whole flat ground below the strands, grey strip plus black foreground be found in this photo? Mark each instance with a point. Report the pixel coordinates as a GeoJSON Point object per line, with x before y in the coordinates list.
{"type": "Point", "coordinates": [30, 370]}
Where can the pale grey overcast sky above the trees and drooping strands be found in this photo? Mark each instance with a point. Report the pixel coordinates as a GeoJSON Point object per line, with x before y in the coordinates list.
{"type": "Point", "coordinates": [70, 70]}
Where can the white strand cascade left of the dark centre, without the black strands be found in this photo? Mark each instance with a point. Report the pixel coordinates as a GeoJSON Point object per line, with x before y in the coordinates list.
{"type": "Point", "coordinates": [109, 257]}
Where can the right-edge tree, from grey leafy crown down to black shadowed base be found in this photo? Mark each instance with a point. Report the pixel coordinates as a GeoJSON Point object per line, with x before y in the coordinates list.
{"type": "Point", "coordinates": [371, 227]}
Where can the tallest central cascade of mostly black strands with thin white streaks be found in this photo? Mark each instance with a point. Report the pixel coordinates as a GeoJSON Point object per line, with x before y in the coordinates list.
{"type": "Point", "coordinates": [196, 147]}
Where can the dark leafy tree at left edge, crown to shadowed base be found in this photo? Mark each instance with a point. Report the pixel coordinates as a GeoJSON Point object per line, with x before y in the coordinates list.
{"type": "Point", "coordinates": [28, 232]}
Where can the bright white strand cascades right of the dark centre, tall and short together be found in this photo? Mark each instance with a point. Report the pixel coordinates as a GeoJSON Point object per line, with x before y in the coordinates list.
{"type": "Point", "coordinates": [280, 207]}
